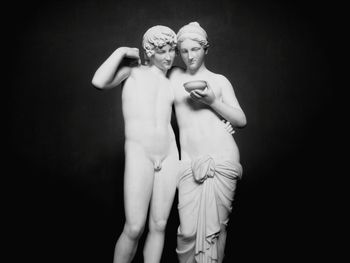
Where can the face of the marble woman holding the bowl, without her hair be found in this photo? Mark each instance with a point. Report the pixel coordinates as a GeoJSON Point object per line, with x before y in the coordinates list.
{"type": "Point", "coordinates": [192, 54]}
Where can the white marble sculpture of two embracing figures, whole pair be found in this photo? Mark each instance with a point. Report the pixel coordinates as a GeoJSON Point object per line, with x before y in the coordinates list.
{"type": "Point", "coordinates": [207, 174]}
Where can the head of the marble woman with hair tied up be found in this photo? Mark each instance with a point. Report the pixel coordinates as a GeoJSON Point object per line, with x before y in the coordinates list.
{"type": "Point", "coordinates": [192, 43]}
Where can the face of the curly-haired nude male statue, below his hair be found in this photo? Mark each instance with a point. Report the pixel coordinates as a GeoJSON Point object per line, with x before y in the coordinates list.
{"type": "Point", "coordinates": [163, 57]}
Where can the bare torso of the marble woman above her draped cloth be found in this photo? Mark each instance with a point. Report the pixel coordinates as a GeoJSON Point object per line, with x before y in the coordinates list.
{"type": "Point", "coordinates": [201, 129]}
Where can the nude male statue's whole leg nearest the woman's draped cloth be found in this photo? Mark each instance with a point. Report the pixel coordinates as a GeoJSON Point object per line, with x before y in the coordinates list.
{"type": "Point", "coordinates": [164, 188]}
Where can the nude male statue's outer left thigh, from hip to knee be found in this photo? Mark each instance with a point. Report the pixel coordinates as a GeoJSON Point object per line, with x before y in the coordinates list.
{"type": "Point", "coordinates": [138, 183]}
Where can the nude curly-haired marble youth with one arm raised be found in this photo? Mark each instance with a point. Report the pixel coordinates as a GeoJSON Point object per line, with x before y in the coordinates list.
{"type": "Point", "coordinates": [151, 156]}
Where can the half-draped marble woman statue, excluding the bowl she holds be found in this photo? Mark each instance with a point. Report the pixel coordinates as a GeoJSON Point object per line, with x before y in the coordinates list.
{"type": "Point", "coordinates": [209, 154]}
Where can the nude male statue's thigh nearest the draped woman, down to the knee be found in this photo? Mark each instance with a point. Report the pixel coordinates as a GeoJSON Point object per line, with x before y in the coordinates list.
{"type": "Point", "coordinates": [164, 187]}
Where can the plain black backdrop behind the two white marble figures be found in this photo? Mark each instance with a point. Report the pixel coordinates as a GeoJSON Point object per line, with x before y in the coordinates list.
{"type": "Point", "coordinates": [66, 138]}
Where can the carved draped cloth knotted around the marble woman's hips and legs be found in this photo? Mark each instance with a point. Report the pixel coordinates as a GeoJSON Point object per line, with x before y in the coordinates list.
{"type": "Point", "coordinates": [206, 190]}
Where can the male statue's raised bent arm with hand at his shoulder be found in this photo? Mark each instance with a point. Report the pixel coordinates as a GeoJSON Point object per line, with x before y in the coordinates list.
{"type": "Point", "coordinates": [112, 72]}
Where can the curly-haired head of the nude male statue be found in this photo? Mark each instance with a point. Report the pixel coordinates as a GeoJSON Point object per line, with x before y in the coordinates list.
{"type": "Point", "coordinates": [159, 43]}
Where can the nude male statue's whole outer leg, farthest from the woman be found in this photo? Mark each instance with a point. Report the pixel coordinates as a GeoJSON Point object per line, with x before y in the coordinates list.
{"type": "Point", "coordinates": [138, 183]}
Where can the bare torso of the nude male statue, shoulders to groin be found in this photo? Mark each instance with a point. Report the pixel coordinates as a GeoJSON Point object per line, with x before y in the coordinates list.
{"type": "Point", "coordinates": [147, 100]}
